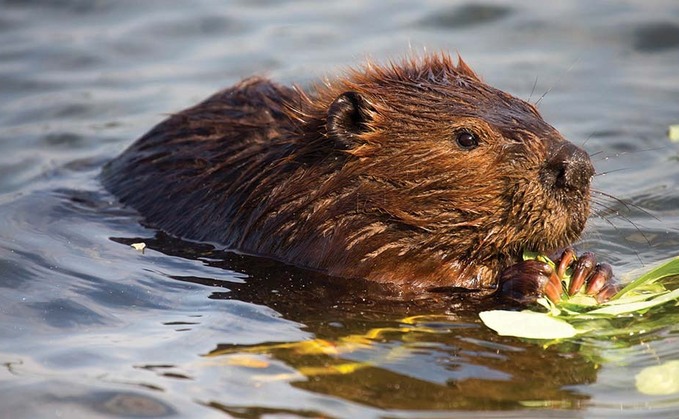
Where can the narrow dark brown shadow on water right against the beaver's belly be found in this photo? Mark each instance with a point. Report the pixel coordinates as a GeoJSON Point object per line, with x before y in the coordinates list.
{"type": "Point", "coordinates": [304, 295]}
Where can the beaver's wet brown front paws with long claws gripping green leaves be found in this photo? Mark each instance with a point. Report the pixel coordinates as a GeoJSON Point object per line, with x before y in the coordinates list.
{"type": "Point", "coordinates": [528, 280]}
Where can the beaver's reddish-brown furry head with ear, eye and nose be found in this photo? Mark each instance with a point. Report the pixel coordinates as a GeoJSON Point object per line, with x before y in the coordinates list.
{"type": "Point", "coordinates": [445, 177]}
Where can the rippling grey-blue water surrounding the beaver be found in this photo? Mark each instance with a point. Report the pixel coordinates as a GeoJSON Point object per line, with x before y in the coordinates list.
{"type": "Point", "coordinates": [92, 328]}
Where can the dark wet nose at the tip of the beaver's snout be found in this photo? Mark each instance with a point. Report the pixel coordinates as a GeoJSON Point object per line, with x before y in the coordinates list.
{"type": "Point", "coordinates": [568, 167]}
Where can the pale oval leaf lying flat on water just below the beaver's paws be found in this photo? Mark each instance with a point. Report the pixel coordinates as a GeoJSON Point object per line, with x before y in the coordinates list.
{"type": "Point", "coordinates": [527, 324]}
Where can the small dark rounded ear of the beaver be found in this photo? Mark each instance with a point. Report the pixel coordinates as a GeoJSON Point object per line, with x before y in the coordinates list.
{"type": "Point", "coordinates": [347, 119]}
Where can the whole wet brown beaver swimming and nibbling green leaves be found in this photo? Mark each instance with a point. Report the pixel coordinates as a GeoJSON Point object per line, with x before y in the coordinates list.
{"type": "Point", "coordinates": [414, 173]}
